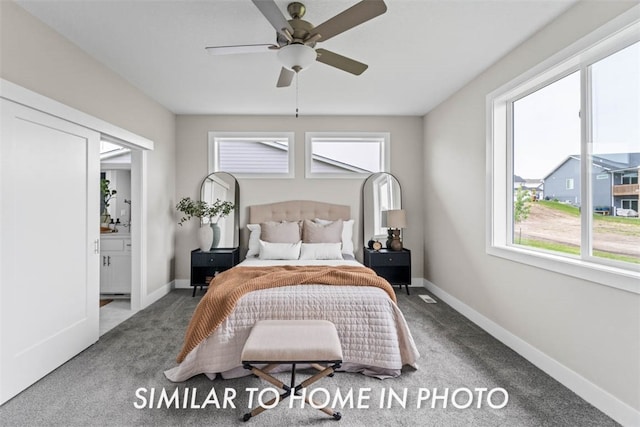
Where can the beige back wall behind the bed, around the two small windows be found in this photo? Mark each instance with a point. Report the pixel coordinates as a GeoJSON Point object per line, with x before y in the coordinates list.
{"type": "Point", "coordinates": [406, 155]}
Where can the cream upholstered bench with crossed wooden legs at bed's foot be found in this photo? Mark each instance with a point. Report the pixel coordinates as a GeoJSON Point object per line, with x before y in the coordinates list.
{"type": "Point", "coordinates": [278, 342]}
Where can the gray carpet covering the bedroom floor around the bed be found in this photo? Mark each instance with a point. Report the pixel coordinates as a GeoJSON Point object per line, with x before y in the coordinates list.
{"type": "Point", "coordinates": [98, 387]}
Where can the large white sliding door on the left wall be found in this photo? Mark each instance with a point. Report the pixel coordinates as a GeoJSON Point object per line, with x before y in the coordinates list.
{"type": "Point", "coordinates": [49, 230]}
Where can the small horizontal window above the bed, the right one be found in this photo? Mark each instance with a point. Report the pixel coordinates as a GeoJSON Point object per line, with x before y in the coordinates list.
{"type": "Point", "coordinates": [346, 155]}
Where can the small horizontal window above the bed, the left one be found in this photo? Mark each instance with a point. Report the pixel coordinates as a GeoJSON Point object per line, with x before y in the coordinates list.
{"type": "Point", "coordinates": [252, 154]}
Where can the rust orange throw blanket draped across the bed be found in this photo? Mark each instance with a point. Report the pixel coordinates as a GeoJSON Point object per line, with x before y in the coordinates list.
{"type": "Point", "coordinates": [227, 288]}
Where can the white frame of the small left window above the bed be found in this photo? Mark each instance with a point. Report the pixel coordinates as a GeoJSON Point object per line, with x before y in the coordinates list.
{"type": "Point", "coordinates": [214, 136]}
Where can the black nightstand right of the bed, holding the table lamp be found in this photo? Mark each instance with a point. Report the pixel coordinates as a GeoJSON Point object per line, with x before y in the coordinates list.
{"type": "Point", "coordinates": [395, 266]}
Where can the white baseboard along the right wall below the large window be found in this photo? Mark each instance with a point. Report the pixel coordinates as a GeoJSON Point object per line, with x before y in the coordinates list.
{"type": "Point", "coordinates": [592, 393]}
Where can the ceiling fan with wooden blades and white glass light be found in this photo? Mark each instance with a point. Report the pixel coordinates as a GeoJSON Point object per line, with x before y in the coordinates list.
{"type": "Point", "coordinates": [296, 38]}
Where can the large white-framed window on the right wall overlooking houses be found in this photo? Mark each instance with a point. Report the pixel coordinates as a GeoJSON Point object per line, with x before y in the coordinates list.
{"type": "Point", "coordinates": [571, 124]}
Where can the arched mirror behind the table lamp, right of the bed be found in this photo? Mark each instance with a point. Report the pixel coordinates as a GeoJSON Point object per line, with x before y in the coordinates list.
{"type": "Point", "coordinates": [381, 192]}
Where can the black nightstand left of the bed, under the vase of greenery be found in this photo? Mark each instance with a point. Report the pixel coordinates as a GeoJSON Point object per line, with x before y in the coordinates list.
{"type": "Point", "coordinates": [205, 265]}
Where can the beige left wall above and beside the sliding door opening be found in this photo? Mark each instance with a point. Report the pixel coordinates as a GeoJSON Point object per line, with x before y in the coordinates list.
{"type": "Point", "coordinates": [39, 59]}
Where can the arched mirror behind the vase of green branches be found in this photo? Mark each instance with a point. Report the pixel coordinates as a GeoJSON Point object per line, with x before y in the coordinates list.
{"type": "Point", "coordinates": [224, 187]}
